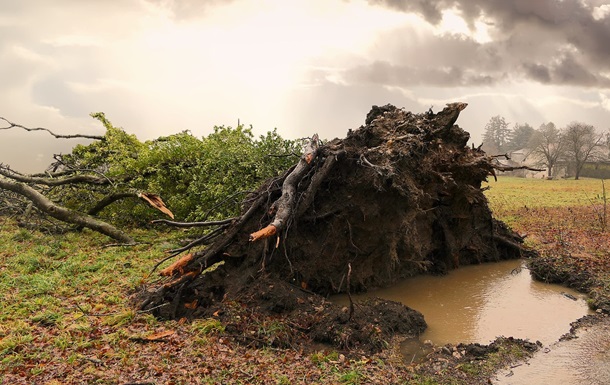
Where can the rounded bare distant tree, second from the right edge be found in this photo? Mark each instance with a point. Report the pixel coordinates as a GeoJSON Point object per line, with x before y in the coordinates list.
{"type": "Point", "coordinates": [548, 146]}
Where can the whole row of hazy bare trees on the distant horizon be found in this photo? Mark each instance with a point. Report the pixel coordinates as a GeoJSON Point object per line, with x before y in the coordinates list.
{"type": "Point", "coordinates": [548, 146]}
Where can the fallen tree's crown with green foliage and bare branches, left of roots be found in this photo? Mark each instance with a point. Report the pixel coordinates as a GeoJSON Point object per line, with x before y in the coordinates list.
{"type": "Point", "coordinates": [94, 186]}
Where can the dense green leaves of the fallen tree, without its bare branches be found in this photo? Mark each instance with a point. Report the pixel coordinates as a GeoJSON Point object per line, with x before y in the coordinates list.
{"type": "Point", "coordinates": [198, 178]}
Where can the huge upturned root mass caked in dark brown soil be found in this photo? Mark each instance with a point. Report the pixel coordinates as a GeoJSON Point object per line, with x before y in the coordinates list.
{"type": "Point", "coordinates": [397, 197]}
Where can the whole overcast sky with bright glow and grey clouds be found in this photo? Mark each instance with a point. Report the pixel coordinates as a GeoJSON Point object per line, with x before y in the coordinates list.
{"type": "Point", "coordinates": [157, 67]}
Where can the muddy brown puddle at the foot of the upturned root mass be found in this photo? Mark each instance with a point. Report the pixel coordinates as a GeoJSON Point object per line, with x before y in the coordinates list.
{"type": "Point", "coordinates": [480, 302]}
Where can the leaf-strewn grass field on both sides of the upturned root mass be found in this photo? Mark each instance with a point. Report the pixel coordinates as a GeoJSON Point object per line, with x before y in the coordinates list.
{"type": "Point", "coordinates": [66, 317]}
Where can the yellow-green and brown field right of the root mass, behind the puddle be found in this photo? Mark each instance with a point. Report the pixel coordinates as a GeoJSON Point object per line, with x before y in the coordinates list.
{"type": "Point", "coordinates": [566, 221]}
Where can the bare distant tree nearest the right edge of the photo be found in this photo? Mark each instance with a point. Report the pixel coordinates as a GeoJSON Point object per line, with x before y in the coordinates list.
{"type": "Point", "coordinates": [582, 143]}
